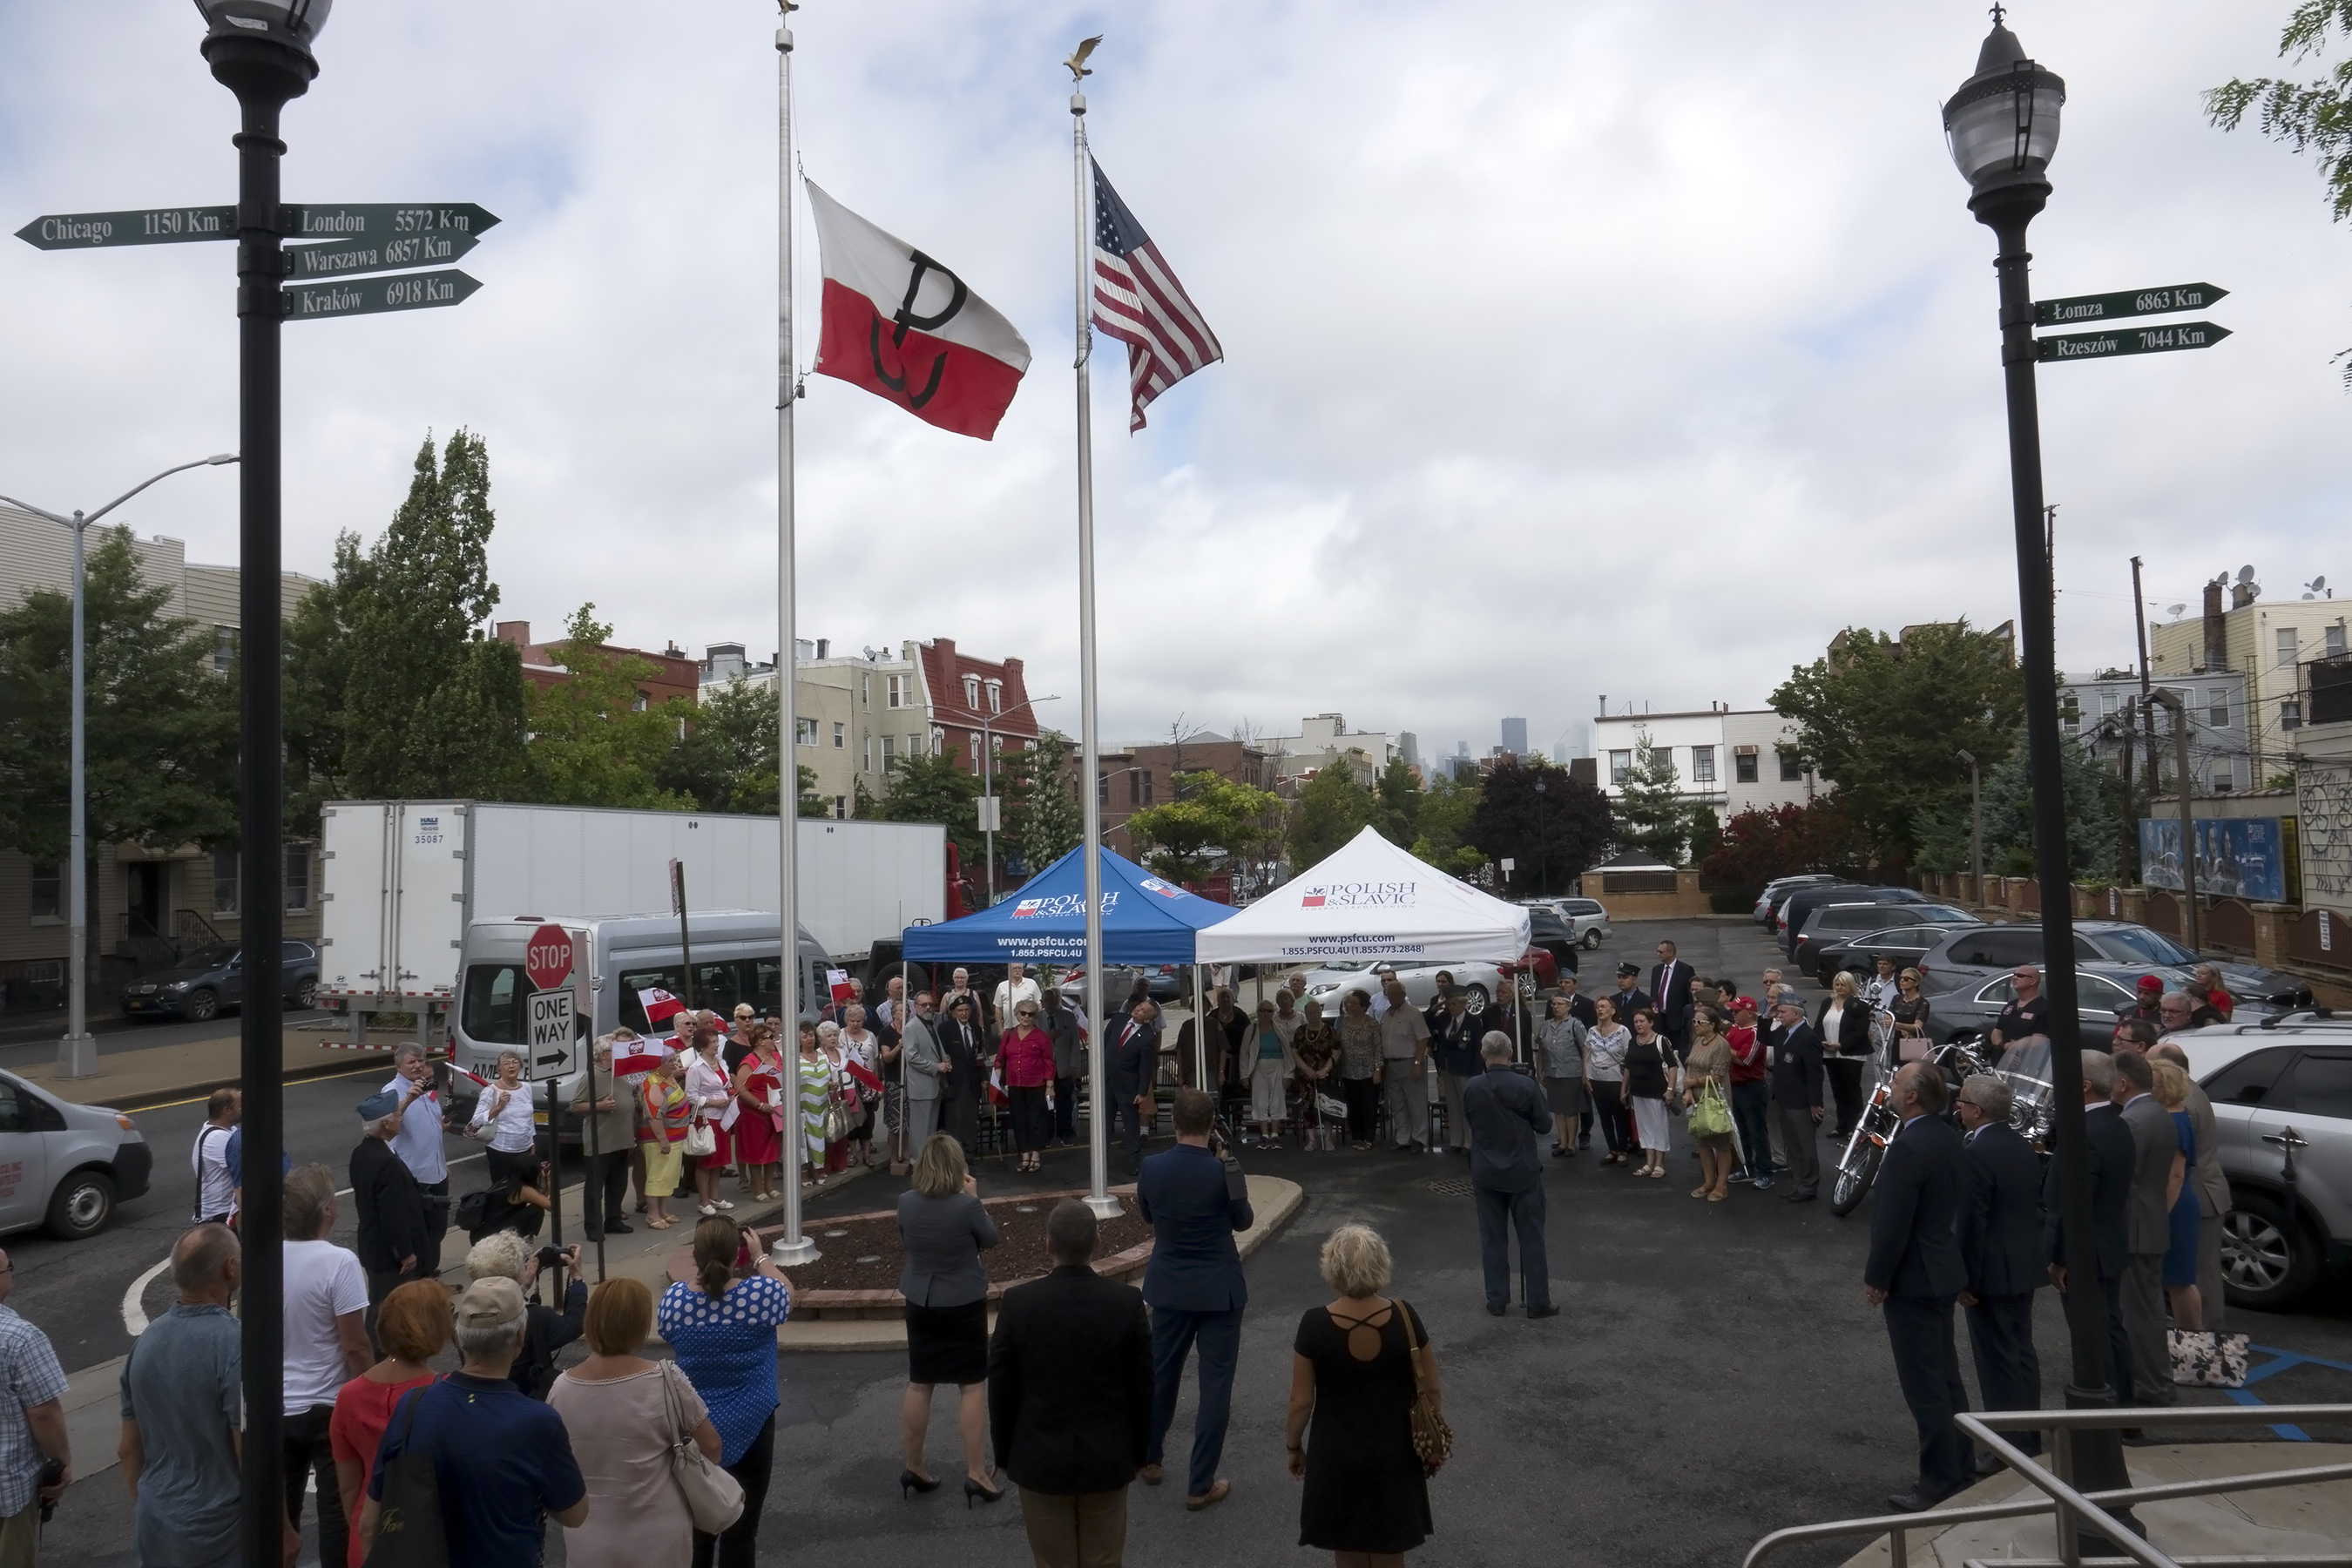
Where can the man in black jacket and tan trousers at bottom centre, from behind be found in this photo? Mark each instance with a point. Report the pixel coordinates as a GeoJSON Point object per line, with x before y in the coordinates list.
{"type": "Point", "coordinates": [1071, 1398]}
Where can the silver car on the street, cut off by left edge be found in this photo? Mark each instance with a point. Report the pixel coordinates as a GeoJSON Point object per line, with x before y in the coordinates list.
{"type": "Point", "coordinates": [65, 1165]}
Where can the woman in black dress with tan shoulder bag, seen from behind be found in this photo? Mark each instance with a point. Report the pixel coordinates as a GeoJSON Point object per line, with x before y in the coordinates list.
{"type": "Point", "coordinates": [1365, 1489]}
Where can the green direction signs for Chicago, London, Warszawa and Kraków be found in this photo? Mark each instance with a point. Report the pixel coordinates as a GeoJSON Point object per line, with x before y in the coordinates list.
{"type": "Point", "coordinates": [342, 243]}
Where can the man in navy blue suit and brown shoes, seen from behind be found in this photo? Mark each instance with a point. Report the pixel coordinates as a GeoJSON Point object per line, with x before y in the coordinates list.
{"type": "Point", "coordinates": [1196, 1289]}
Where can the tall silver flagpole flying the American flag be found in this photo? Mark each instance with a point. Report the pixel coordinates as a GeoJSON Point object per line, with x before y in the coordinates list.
{"type": "Point", "coordinates": [1090, 742]}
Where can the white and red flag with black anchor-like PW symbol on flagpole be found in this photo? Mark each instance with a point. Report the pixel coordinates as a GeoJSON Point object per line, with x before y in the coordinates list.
{"type": "Point", "coordinates": [909, 330]}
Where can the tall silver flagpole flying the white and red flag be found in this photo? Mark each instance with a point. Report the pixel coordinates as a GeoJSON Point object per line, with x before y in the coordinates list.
{"type": "Point", "coordinates": [789, 1249]}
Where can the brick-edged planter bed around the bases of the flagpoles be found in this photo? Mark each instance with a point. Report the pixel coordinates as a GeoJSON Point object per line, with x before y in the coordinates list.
{"type": "Point", "coordinates": [841, 1287]}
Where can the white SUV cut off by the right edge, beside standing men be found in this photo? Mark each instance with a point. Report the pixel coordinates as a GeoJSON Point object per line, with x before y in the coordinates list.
{"type": "Point", "coordinates": [2283, 1108]}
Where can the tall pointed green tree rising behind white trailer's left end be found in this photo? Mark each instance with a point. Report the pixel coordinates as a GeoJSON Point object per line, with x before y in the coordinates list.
{"type": "Point", "coordinates": [406, 638]}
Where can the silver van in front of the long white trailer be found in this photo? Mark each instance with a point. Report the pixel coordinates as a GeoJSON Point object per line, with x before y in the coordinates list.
{"type": "Point", "coordinates": [615, 960]}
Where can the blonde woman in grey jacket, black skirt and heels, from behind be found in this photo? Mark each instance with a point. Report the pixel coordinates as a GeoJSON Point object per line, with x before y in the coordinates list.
{"type": "Point", "coordinates": [944, 1228]}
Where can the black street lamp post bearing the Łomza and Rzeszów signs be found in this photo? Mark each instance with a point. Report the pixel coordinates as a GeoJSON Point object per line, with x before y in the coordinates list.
{"type": "Point", "coordinates": [2003, 128]}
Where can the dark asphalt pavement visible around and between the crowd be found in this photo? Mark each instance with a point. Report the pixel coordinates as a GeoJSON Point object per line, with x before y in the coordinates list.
{"type": "Point", "coordinates": [1713, 1374]}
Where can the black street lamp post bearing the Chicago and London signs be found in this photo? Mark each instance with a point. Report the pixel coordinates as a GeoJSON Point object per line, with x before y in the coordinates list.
{"type": "Point", "coordinates": [262, 53]}
